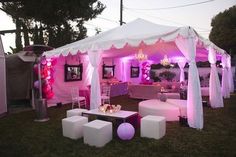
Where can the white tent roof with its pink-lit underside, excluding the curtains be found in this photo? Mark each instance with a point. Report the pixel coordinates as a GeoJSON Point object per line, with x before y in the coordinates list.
{"type": "Point", "coordinates": [129, 38]}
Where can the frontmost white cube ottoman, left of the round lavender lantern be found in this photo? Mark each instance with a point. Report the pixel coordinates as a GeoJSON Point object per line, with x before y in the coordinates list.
{"type": "Point", "coordinates": [97, 133]}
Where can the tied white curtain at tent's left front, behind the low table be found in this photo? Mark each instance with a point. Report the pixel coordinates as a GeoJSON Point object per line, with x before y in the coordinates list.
{"type": "Point", "coordinates": [95, 95]}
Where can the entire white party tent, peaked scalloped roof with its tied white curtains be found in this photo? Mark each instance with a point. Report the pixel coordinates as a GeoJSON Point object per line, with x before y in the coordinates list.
{"type": "Point", "coordinates": [156, 40]}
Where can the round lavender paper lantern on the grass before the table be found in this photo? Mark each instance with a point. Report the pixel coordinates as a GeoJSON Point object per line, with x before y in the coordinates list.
{"type": "Point", "coordinates": [125, 131]}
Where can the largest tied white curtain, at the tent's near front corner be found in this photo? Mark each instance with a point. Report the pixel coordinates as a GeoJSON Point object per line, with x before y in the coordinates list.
{"type": "Point", "coordinates": [194, 101]}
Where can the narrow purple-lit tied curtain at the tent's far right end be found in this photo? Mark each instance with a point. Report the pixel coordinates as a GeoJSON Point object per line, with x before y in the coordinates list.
{"type": "Point", "coordinates": [225, 80]}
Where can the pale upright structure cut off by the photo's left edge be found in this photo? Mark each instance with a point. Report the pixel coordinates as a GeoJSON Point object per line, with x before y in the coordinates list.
{"type": "Point", "coordinates": [3, 101]}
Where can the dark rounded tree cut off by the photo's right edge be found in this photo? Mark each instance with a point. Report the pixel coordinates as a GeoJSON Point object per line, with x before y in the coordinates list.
{"type": "Point", "coordinates": [223, 31]}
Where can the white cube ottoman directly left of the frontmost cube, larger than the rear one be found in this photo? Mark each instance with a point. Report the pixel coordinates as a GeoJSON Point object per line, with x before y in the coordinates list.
{"type": "Point", "coordinates": [72, 127]}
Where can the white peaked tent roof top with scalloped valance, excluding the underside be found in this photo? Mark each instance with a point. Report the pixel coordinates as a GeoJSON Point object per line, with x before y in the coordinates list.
{"type": "Point", "coordinates": [132, 34]}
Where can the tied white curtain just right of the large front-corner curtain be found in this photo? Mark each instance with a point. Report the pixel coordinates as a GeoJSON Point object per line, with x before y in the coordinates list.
{"type": "Point", "coordinates": [215, 95]}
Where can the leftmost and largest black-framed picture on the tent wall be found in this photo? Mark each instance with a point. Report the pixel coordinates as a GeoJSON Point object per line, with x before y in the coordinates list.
{"type": "Point", "coordinates": [73, 72]}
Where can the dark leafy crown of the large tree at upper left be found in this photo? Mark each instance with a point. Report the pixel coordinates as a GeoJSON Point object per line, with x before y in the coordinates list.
{"type": "Point", "coordinates": [61, 21]}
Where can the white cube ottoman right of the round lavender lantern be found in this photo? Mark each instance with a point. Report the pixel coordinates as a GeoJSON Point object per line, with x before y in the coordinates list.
{"type": "Point", "coordinates": [153, 126]}
